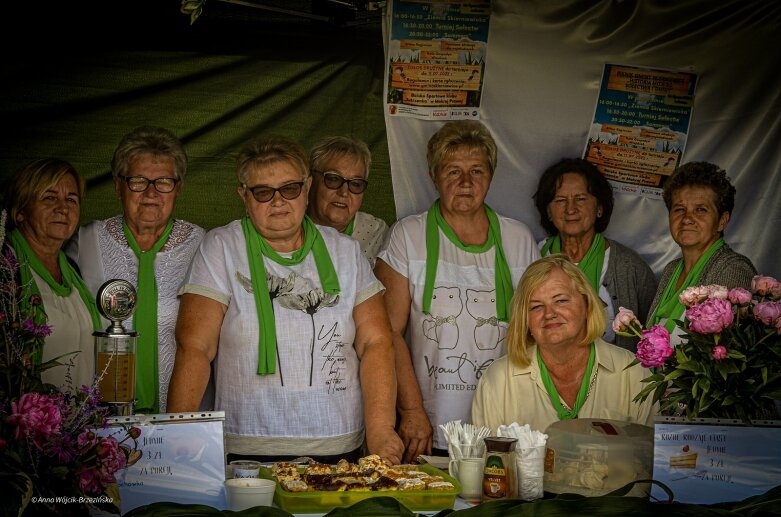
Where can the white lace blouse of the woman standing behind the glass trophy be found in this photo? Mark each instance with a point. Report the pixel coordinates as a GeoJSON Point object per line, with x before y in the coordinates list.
{"type": "Point", "coordinates": [101, 250]}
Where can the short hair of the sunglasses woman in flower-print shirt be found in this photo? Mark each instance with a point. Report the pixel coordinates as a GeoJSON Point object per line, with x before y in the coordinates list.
{"type": "Point", "coordinates": [270, 149]}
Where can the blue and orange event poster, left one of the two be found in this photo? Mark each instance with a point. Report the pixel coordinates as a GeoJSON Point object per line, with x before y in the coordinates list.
{"type": "Point", "coordinates": [436, 58]}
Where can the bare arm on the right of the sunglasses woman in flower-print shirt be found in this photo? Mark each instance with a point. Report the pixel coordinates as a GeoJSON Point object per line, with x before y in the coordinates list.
{"type": "Point", "coordinates": [374, 347]}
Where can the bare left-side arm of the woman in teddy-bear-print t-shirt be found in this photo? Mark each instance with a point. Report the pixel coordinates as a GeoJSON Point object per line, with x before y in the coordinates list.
{"type": "Point", "coordinates": [414, 426]}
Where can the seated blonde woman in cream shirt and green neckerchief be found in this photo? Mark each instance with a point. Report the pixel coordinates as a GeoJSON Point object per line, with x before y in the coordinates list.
{"type": "Point", "coordinates": [557, 366]}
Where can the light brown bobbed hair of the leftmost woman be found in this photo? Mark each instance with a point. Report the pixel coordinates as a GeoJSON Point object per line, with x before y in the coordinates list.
{"type": "Point", "coordinates": [34, 179]}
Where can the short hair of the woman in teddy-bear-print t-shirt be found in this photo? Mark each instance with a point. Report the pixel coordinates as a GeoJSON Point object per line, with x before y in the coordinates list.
{"type": "Point", "coordinates": [459, 134]}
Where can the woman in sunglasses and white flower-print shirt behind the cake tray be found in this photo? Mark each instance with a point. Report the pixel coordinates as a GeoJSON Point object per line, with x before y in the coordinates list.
{"type": "Point", "coordinates": [305, 362]}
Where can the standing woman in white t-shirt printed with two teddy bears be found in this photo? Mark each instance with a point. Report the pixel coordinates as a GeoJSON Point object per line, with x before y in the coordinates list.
{"type": "Point", "coordinates": [449, 274]}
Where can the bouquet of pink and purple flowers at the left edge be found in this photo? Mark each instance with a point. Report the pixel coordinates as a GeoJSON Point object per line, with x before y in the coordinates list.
{"type": "Point", "coordinates": [48, 450]}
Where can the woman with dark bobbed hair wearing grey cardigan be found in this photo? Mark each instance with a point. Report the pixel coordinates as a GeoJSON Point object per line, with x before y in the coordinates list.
{"type": "Point", "coordinates": [575, 202]}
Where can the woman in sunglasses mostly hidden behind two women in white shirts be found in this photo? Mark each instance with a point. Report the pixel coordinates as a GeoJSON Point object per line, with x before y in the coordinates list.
{"type": "Point", "coordinates": [340, 168]}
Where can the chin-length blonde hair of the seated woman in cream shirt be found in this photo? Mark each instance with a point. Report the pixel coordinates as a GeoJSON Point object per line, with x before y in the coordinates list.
{"type": "Point", "coordinates": [519, 337]}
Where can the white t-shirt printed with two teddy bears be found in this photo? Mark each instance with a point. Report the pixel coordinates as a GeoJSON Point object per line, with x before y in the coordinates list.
{"type": "Point", "coordinates": [452, 346]}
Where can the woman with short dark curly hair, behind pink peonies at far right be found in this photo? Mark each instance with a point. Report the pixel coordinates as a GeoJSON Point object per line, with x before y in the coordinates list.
{"type": "Point", "coordinates": [699, 199]}
